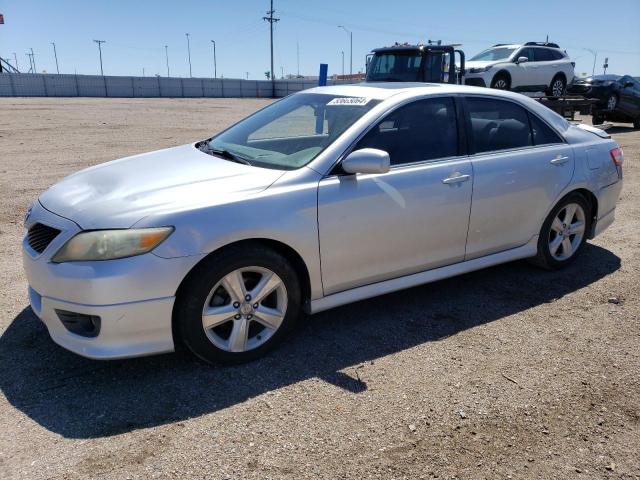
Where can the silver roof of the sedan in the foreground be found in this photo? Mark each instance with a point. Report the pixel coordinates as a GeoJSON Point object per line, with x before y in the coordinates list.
{"type": "Point", "coordinates": [387, 90]}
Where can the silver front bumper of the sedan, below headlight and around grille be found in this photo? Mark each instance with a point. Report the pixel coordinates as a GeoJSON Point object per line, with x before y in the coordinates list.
{"type": "Point", "coordinates": [132, 296]}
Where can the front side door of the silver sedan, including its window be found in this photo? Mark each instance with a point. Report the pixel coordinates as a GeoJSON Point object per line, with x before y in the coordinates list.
{"type": "Point", "coordinates": [413, 218]}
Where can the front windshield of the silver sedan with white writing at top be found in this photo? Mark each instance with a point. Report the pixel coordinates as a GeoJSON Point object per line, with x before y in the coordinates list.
{"type": "Point", "coordinates": [289, 133]}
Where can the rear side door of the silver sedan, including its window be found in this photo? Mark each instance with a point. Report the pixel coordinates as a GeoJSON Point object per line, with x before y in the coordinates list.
{"type": "Point", "coordinates": [520, 165]}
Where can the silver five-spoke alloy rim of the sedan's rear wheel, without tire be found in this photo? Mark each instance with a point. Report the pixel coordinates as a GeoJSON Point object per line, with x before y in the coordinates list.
{"type": "Point", "coordinates": [567, 231]}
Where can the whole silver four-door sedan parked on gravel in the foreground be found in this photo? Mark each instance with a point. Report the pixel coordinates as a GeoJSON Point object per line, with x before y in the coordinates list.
{"type": "Point", "coordinates": [326, 197]}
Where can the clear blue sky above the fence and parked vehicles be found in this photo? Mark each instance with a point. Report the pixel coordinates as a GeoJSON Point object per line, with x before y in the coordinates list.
{"type": "Point", "coordinates": [136, 32]}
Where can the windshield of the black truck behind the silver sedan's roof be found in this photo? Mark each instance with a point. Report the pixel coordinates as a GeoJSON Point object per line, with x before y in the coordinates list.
{"type": "Point", "coordinates": [395, 66]}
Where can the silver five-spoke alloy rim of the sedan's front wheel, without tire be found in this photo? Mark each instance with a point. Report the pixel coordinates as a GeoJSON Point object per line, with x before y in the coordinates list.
{"type": "Point", "coordinates": [244, 309]}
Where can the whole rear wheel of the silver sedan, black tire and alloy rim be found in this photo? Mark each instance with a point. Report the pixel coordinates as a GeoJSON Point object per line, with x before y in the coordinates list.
{"type": "Point", "coordinates": [563, 233]}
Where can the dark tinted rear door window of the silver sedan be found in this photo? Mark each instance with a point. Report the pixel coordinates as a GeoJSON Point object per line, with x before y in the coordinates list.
{"type": "Point", "coordinates": [497, 125]}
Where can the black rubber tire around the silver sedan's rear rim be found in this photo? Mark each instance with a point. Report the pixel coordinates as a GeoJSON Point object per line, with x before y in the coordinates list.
{"type": "Point", "coordinates": [544, 258]}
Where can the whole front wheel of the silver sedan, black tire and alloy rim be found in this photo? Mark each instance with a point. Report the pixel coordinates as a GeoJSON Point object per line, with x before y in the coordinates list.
{"type": "Point", "coordinates": [238, 304]}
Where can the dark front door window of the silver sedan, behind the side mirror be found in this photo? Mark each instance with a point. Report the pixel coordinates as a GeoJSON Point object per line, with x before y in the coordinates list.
{"type": "Point", "coordinates": [422, 130]}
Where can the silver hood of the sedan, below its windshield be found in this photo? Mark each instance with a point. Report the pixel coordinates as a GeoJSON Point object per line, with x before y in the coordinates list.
{"type": "Point", "coordinates": [118, 194]}
